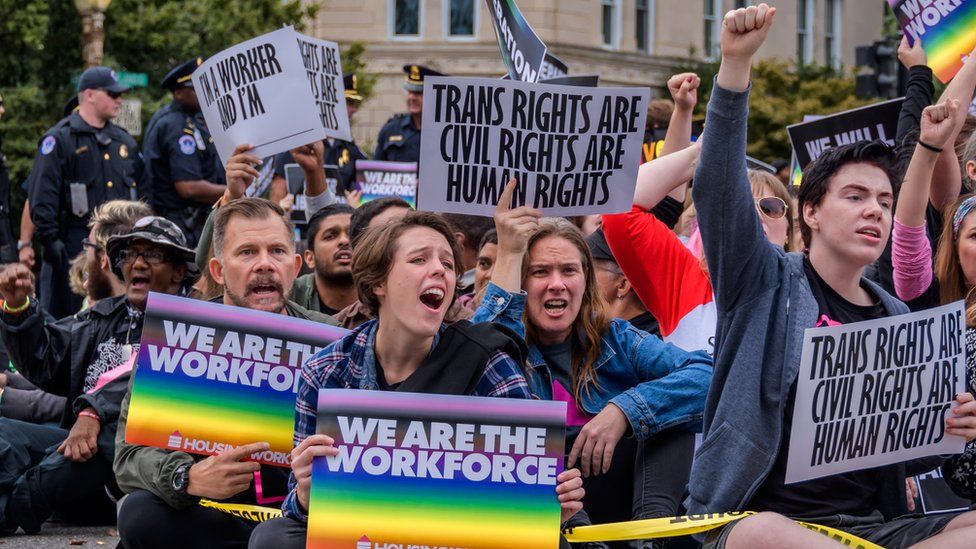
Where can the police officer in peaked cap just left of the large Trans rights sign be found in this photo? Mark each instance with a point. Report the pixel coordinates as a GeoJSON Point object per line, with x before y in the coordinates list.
{"type": "Point", "coordinates": [399, 140]}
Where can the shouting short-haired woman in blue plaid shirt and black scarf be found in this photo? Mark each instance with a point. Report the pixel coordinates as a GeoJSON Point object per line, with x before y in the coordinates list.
{"type": "Point", "coordinates": [406, 271]}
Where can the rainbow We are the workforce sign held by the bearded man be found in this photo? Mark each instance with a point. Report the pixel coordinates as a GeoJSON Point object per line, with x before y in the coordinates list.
{"type": "Point", "coordinates": [211, 377]}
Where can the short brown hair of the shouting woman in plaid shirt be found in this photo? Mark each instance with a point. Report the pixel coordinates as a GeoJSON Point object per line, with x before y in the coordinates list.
{"type": "Point", "coordinates": [372, 257]}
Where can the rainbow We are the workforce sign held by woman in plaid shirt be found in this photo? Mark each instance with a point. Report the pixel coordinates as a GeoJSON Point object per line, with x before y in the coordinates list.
{"type": "Point", "coordinates": [420, 470]}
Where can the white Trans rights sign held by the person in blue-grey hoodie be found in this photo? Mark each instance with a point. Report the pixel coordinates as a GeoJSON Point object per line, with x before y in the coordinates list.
{"type": "Point", "coordinates": [877, 392]}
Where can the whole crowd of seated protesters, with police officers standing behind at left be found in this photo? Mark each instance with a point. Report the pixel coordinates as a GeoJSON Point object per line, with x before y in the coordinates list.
{"type": "Point", "coordinates": [684, 315]}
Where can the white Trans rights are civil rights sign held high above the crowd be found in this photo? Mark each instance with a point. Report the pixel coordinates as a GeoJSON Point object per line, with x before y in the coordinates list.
{"type": "Point", "coordinates": [574, 151]}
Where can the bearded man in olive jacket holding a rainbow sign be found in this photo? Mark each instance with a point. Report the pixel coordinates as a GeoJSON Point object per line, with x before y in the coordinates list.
{"type": "Point", "coordinates": [255, 263]}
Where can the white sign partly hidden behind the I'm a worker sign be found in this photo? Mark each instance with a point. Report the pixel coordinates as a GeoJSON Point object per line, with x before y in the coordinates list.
{"type": "Point", "coordinates": [321, 61]}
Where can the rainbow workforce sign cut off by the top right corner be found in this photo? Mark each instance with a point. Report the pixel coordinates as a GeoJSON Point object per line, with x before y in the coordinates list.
{"type": "Point", "coordinates": [947, 30]}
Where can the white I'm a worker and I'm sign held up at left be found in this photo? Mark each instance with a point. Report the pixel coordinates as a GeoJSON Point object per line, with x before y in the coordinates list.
{"type": "Point", "coordinates": [257, 92]}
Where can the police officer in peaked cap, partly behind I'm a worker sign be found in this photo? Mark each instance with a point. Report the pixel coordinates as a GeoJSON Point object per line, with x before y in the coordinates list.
{"type": "Point", "coordinates": [183, 172]}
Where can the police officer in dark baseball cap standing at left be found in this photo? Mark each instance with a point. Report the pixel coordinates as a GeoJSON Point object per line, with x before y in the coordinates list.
{"type": "Point", "coordinates": [83, 161]}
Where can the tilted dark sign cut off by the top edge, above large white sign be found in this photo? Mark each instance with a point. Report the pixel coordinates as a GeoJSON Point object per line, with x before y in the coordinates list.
{"type": "Point", "coordinates": [522, 50]}
